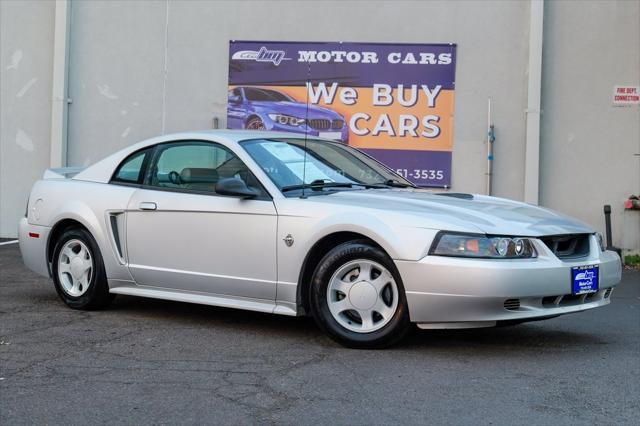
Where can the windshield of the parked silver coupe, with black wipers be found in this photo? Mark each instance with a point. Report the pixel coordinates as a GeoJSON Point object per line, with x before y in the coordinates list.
{"type": "Point", "coordinates": [326, 167]}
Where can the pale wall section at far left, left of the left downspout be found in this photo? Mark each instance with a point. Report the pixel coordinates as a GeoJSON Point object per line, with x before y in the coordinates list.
{"type": "Point", "coordinates": [26, 37]}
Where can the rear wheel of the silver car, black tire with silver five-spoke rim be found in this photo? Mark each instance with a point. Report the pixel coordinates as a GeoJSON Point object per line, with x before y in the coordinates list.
{"type": "Point", "coordinates": [78, 271]}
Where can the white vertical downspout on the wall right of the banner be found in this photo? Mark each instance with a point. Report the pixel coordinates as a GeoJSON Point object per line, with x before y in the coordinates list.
{"type": "Point", "coordinates": [532, 143]}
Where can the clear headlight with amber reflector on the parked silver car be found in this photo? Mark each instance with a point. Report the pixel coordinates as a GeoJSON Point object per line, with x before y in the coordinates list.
{"type": "Point", "coordinates": [482, 246]}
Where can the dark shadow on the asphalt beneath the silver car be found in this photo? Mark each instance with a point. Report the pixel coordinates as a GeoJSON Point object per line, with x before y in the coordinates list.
{"type": "Point", "coordinates": [525, 337]}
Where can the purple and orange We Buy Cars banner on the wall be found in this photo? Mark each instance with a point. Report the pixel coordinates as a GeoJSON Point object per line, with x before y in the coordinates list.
{"type": "Point", "coordinates": [393, 101]}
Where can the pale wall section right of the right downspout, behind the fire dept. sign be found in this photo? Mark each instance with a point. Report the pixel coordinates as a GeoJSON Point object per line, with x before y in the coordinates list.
{"type": "Point", "coordinates": [589, 148]}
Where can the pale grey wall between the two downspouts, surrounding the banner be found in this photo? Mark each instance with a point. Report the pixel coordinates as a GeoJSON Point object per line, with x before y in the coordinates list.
{"type": "Point", "coordinates": [492, 52]}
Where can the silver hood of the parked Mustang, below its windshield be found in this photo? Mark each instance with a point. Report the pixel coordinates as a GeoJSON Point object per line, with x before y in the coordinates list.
{"type": "Point", "coordinates": [472, 213]}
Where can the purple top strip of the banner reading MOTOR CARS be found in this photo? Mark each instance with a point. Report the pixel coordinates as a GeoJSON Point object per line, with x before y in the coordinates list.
{"type": "Point", "coordinates": [351, 64]}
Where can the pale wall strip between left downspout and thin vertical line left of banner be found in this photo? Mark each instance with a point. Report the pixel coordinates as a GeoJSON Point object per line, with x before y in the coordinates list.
{"type": "Point", "coordinates": [116, 76]}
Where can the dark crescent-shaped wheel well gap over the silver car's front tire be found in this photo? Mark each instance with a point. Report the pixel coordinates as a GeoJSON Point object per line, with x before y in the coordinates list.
{"type": "Point", "coordinates": [320, 248]}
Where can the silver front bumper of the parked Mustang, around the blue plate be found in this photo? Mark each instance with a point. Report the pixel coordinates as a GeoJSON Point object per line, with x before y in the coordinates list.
{"type": "Point", "coordinates": [448, 292]}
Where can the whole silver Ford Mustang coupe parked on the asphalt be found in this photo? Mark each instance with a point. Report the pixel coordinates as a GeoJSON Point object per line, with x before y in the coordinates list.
{"type": "Point", "coordinates": [275, 223]}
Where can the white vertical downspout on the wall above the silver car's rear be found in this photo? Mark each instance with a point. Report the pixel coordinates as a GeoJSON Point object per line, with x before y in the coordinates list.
{"type": "Point", "coordinates": [59, 99]}
